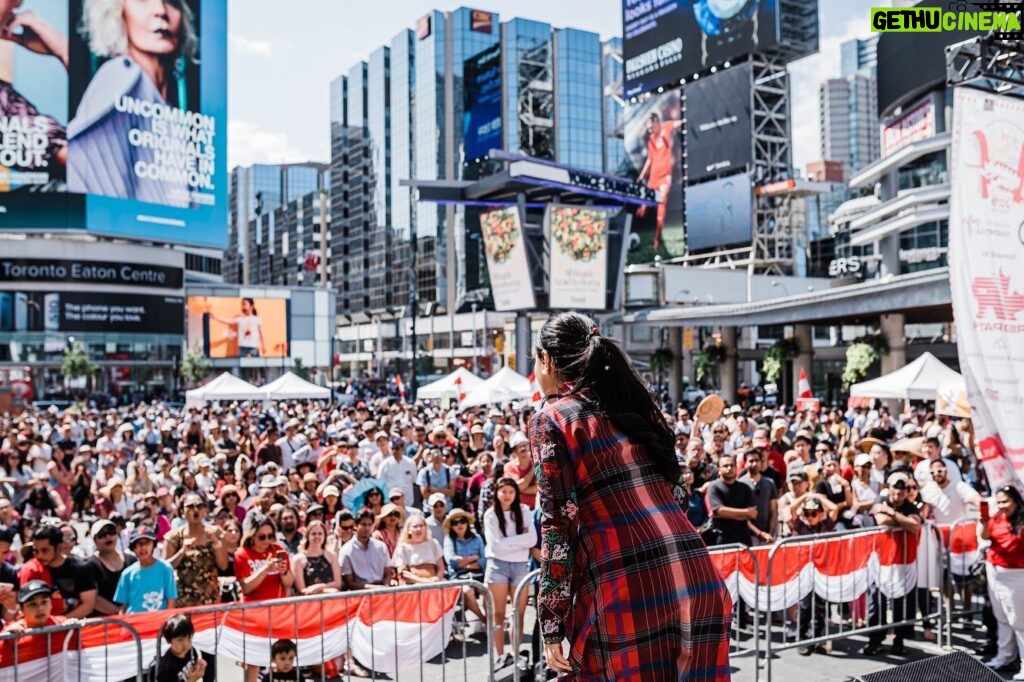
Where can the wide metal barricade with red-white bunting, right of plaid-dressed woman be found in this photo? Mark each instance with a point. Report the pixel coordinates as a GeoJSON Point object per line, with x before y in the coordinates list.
{"type": "Point", "coordinates": [807, 621]}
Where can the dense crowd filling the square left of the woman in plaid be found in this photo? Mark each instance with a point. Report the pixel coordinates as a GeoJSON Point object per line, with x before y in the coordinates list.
{"type": "Point", "coordinates": [149, 508]}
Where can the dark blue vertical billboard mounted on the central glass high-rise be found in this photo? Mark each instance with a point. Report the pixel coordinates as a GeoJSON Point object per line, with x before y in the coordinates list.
{"type": "Point", "coordinates": [483, 103]}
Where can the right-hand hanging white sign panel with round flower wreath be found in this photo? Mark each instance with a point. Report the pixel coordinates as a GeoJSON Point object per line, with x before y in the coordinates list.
{"type": "Point", "coordinates": [579, 258]}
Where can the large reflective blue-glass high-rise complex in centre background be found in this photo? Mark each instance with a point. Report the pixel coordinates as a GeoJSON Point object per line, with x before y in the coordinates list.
{"type": "Point", "coordinates": [430, 106]}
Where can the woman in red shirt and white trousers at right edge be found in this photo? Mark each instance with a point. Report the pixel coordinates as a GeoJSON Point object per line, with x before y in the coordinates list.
{"type": "Point", "coordinates": [1005, 561]}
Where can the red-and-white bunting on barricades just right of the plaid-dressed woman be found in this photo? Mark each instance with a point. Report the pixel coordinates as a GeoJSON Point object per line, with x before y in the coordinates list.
{"type": "Point", "coordinates": [838, 570]}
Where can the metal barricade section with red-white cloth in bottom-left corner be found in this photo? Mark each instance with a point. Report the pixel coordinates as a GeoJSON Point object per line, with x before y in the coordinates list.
{"type": "Point", "coordinates": [38, 654]}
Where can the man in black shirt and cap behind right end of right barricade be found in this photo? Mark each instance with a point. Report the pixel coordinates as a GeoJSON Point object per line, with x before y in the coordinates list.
{"type": "Point", "coordinates": [901, 515]}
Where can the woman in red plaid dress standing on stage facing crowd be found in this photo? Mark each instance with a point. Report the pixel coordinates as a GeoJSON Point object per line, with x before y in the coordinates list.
{"type": "Point", "coordinates": [625, 578]}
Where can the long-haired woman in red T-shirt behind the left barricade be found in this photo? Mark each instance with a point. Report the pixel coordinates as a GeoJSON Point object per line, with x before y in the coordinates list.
{"type": "Point", "coordinates": [263, 568]}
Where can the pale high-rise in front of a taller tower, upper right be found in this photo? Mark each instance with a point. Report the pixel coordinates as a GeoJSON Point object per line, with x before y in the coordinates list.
{"type": "Point", "coordinates": [849, 122]}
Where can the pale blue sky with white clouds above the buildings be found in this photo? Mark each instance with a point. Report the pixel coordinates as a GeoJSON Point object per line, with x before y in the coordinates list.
{"type": "Point", "coordinates": [283, 57]}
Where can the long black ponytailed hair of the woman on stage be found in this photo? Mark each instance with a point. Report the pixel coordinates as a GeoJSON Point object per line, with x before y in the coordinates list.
{"type": "Point", "coordinates": [602, 374]}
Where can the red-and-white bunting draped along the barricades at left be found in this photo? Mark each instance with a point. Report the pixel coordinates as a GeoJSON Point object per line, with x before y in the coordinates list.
{"type": "Point", "coordinates": [386, 631]}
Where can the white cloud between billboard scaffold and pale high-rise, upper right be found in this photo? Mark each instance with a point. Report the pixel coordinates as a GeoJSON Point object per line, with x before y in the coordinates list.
{"type": "Point", "coordinates": [805, 77]}
